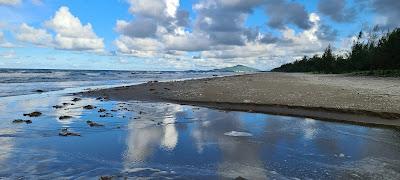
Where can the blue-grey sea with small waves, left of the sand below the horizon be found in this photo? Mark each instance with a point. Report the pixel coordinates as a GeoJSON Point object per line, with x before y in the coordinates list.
{"type": "Point", "coordinates": [14, 82]}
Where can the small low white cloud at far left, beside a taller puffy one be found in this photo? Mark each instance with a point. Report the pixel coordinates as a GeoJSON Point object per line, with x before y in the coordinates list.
{"type": "Point", "coordinates": [35, 36]}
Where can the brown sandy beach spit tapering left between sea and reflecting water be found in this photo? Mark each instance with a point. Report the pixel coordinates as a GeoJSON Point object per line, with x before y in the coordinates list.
{"type": "Point", "coordinates": [361, 100]}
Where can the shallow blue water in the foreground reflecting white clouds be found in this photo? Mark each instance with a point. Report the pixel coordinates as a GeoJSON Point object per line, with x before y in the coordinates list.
{"type": "Point", "coordinates": [165, 140]}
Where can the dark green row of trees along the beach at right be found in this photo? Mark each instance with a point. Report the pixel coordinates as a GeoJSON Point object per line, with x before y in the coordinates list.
{"type": "Point", "coordinates": [372, 53]}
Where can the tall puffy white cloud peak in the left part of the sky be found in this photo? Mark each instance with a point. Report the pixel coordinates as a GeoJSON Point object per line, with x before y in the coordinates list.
{"type": "Point", "coordinates": [71, 34]}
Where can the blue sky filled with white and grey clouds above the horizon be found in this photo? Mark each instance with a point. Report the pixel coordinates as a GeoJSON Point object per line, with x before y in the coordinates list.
{"type": "Point", "coordinates": [181, 35]}
